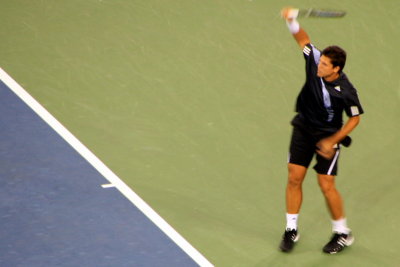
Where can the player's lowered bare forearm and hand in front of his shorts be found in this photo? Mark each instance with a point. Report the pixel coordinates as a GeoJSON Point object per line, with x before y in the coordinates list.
{"type": "Point", "coordinates": [325, 147]}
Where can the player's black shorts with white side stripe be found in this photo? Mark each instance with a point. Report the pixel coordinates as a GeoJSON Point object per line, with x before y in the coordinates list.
{"type": "Point", "coordinates": [303, 148]}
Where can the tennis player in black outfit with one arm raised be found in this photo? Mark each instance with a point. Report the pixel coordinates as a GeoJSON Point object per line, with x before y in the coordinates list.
{"type": "Point", "coordinates": [318, 130]}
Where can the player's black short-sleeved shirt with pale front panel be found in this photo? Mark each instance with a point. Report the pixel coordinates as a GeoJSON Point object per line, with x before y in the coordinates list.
{"type": "Point", "coordinates": [320, 104]}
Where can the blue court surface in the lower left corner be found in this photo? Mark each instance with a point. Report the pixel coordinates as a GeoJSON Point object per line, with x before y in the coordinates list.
{"type": "Point", "coordinates": [58, 210]}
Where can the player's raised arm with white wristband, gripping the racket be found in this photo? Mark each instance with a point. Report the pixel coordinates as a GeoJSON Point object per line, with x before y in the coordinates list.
{"type": "Point", "coordinates": [290, 15]}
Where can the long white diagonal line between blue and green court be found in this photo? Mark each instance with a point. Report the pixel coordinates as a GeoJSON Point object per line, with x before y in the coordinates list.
{"type": "Point", "coordinates": [103, 169]}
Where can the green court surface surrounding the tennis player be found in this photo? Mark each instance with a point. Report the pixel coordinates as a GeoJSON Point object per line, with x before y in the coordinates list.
{"type": "Point", "coordinates": [189, 103]}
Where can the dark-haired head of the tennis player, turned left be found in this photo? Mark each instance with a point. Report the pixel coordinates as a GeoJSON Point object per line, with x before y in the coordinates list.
{"type": "Point", "coordinates": [331, 64]}
